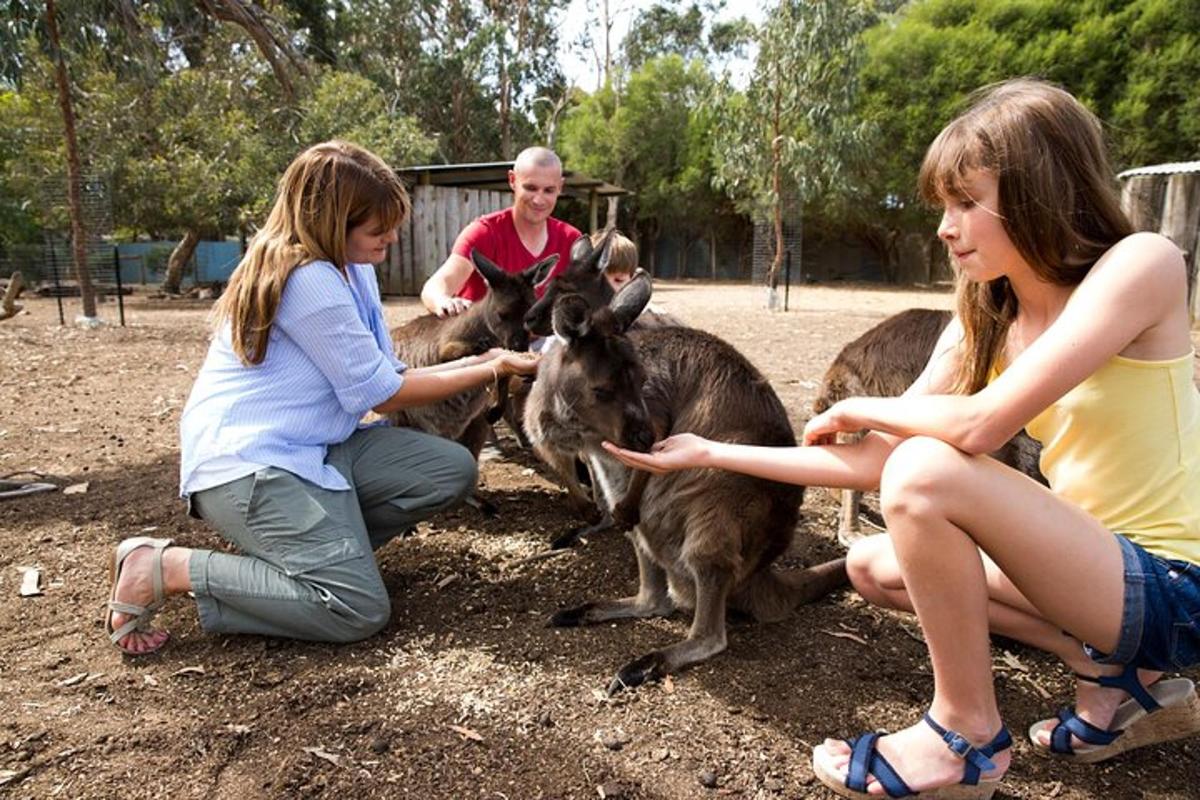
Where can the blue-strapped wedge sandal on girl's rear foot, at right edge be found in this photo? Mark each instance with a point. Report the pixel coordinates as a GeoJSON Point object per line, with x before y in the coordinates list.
{"type": "Point", "coordinates": [1162, 712]}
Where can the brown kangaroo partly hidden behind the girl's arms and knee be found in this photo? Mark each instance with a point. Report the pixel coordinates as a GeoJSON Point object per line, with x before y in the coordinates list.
{"type": "Point", "coordinates": [884, 363]}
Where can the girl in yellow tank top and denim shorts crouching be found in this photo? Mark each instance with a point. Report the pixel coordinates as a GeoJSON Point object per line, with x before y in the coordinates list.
{"type": "Point", "coordinates": [1071, 326]}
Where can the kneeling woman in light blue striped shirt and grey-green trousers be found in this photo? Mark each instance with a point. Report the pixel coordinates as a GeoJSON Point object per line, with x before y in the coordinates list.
{"type": "Point", "coordinates": [274, 454]}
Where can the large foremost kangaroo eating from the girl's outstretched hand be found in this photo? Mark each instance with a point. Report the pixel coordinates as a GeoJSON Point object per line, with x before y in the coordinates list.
{"type": "Point", "coordinates": [704, 539]}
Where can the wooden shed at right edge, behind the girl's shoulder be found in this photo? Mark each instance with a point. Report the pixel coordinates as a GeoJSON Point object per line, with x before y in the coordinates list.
{"type": "Point", "coordinates": [1167, 199]}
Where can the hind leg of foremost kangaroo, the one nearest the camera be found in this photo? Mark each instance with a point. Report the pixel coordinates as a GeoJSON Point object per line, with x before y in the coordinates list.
{"type": "Point", "coordinates": [705, 640]}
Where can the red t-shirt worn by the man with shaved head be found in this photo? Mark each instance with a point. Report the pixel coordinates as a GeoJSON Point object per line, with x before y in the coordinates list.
{"type": "Point", "coordinates": [496, 237]}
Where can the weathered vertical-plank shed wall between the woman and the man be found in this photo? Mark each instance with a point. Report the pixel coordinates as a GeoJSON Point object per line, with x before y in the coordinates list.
{"type": "Point", "coordinates": [440, 214]}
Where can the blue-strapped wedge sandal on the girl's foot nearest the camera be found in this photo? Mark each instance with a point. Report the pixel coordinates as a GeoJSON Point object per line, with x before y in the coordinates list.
{"type": "Point", "coordinates": [867, 761]}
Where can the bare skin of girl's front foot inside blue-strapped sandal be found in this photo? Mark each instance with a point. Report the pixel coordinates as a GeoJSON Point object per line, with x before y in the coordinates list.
{"type": "Point", "coordinates": [921, 757]}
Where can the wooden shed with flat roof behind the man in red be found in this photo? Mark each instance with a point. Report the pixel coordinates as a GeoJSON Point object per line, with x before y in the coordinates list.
{"type": "Point", "coordinates": [447, 199]}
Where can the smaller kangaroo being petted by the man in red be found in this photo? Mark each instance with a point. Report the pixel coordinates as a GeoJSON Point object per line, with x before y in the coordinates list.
{"type": "Point", "coordinates": [496, 321]}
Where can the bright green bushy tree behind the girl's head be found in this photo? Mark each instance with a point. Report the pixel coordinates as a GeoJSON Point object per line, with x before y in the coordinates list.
{"type": "Point", "coordinates": [1135, 63]}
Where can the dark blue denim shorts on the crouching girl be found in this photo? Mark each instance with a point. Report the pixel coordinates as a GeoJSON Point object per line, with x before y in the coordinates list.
{"type": "Point", "coordinates": [1161, 623]}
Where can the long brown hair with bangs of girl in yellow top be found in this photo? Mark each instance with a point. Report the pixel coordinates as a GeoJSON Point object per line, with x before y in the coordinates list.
{"type": "Point", "coordinates": [1058, 200]}
